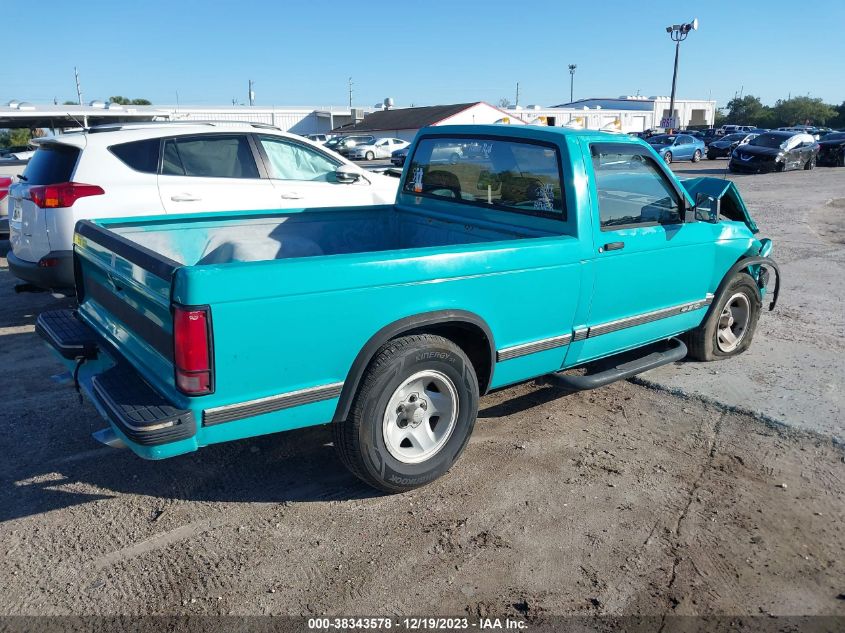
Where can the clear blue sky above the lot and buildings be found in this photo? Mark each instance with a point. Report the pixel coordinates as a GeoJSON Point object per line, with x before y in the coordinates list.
{"type": "Point", "coordinates": [426, 52]}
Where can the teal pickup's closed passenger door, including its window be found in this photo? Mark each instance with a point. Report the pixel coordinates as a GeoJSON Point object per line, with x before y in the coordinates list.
{"type": "Point", "coordinates": [652, 270]}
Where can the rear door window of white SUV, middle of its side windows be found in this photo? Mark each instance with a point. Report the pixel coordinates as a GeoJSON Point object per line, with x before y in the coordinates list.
{"type": "Point", "coordinates": [209, 156]}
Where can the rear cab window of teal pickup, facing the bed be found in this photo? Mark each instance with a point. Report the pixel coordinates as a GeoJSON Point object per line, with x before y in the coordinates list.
{"type": "Point", "coordinates": [520, 176]}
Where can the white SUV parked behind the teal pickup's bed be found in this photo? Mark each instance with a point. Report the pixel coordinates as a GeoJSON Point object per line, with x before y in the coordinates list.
{"type": "Point", "coordinates": [148, 169]}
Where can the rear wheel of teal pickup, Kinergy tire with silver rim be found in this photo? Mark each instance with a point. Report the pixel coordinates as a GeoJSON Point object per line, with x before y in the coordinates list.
{"type": "Point", "coordinates": [393, 410]}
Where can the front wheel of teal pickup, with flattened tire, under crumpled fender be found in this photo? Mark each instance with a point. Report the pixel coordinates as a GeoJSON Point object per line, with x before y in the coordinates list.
{"type": "Point", "coordinates": [710, 341]}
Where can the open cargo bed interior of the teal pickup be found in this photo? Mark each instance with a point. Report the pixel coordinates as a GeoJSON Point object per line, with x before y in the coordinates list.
{"type": "Point", "coordinates": [199, 241]}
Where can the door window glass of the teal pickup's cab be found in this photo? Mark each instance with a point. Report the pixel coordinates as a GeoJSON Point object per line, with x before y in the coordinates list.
{"type": "Point", "coordinates": [632, 190]}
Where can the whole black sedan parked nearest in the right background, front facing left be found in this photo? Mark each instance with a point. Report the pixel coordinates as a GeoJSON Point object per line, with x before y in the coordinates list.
{"type": "Point", "coordinates": [776, 151]}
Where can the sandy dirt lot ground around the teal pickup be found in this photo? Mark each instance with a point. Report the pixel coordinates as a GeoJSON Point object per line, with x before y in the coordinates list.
{"type": "Point", "coordinates": [627, 500]}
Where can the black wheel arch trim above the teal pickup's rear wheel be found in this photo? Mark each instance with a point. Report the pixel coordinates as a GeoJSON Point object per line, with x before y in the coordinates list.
{"type": "Point", "coordinates": [467, 330]}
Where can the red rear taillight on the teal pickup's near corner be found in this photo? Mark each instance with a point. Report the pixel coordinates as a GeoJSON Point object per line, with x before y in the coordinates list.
{"type": "Point", "coordinates": [192, 353]}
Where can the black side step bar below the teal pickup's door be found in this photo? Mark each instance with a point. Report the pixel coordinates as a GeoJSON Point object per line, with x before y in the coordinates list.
{"type": "Point", "coordinates": [623, 366]}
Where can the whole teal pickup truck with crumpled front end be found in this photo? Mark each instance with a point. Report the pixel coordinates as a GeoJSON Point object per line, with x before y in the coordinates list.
{"type": "Point", "coordinates": [538, 251]}
